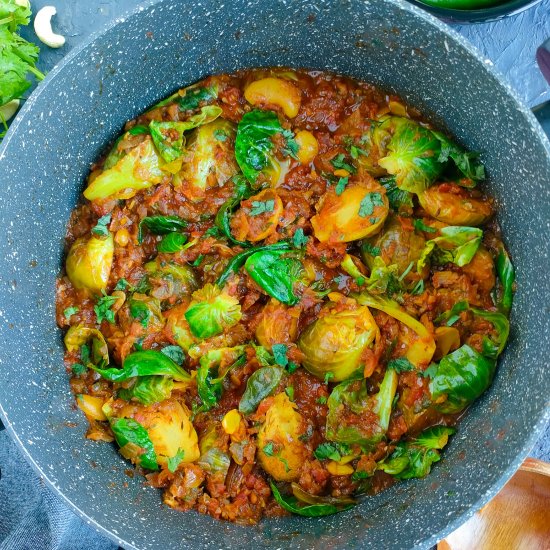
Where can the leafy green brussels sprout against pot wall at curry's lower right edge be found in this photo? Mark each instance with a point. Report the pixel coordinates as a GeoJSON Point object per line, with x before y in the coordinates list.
{"type": "Point", "coordinates": [413, 459]}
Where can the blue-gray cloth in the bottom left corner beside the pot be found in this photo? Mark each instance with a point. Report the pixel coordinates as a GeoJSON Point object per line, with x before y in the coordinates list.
{"type": "Point", "coordinates": [31, 516]}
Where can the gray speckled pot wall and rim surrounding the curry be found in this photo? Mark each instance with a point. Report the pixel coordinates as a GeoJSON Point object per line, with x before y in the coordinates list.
{"type": "Point", "coordinates": [83, 104]}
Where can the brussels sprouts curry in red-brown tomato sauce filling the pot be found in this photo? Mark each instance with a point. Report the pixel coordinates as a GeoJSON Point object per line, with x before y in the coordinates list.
{"type": "Point", "coordinates": [281, 290]}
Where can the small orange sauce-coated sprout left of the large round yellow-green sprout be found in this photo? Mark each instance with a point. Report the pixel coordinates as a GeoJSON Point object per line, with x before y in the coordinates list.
{"type": "Point", "coordinates": [278, 323]}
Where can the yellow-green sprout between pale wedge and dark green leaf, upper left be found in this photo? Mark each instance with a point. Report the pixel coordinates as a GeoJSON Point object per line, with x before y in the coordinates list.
{"type": "Point", "coordinates": [209, 162]}
